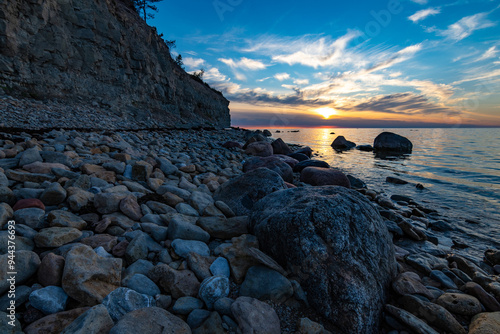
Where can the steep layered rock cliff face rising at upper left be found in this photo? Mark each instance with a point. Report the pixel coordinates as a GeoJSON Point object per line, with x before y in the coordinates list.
{"type": "Point", "coordinates": [101, 54]}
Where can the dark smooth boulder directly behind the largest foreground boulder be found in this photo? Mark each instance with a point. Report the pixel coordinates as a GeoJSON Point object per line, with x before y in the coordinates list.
{"type": "Point", "coordinates": [241, 193]}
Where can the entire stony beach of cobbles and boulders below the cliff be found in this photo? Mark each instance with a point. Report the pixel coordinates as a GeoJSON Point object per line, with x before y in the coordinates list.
{"type": "Point", "coordinates": [222, 231]}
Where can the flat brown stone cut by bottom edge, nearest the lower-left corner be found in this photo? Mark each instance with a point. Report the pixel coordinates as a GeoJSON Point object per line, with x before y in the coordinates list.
{"type": "Point", "coordinates": [54, 323]}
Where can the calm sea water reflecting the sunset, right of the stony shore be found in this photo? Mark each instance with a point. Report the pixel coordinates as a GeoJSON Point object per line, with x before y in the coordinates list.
{"type": "Point", "coordinates": [460, 169]}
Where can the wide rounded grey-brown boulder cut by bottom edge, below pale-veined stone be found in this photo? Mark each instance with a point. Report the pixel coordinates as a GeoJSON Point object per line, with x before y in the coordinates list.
{"type": "Point", "coordinates": [151, 320]}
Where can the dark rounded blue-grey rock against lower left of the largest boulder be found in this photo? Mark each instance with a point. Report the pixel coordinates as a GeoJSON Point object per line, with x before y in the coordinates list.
{"type": "Point", "coordinates": [266, 284]}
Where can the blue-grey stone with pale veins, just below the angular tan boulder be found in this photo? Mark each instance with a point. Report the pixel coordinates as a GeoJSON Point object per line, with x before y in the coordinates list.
{"type": "Point", "coordinates": [122, 301]}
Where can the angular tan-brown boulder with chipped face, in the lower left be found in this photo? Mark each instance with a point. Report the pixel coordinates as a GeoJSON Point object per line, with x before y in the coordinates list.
{"type": "Point", "coordinates": [88, 277]}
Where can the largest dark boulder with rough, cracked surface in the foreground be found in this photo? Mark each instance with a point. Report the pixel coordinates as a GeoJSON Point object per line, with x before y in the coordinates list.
{"type": "Point", "coordinates": [338, 246]}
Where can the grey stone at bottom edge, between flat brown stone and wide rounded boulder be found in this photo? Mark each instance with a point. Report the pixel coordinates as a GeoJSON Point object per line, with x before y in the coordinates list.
{"type": "Point", "coordinates": [96, 320]}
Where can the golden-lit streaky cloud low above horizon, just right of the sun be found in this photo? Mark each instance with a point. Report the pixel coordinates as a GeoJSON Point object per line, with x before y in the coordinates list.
{"type": "Point", "coordinates": [403, 103]}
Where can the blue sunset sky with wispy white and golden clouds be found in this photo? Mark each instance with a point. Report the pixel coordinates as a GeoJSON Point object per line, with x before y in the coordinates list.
{"type": "Point", "coordinates": [408, 63]}
